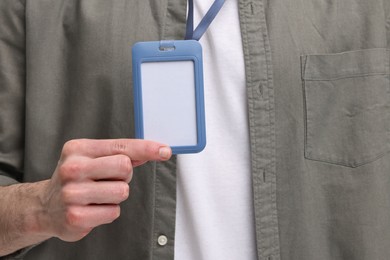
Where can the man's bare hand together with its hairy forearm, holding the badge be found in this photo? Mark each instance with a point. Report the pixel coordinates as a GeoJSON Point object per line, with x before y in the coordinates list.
{"type": "Point", "coordinates": [85, 191]}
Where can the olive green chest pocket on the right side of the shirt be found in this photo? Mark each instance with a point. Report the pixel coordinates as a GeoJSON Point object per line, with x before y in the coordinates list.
{"type": "Point", "coordinates": [346, 98]}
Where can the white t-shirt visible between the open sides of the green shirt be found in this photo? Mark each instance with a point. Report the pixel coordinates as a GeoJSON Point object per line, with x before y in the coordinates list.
{"type": "Point", "coordinates": [215, 218]}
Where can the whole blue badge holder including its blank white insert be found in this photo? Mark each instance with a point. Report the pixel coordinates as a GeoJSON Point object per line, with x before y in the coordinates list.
{"type": "Point", "coordinates": [168, 94]}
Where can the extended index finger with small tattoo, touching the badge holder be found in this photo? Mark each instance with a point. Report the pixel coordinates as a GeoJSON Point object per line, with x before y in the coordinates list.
{"type": "Point", "coordinates": [135, 149]}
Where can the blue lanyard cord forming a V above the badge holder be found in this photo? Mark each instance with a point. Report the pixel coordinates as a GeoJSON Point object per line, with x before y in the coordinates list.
{"type": "Point", "coordinates": [204, 23]}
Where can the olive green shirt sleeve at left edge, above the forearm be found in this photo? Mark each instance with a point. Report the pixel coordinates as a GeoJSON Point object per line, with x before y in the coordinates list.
{"type": "Point", "coordinates": [12, 90]}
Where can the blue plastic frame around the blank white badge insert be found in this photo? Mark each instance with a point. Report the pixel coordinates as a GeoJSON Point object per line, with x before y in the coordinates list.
{"type": "Point", "coordinates": [160, 52]}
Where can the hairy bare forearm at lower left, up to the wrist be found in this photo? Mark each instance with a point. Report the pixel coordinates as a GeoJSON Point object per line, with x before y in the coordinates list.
{"type": "Point", "coordinates": [21, 211]}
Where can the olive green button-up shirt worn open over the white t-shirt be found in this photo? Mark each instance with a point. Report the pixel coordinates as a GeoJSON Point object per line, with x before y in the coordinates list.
{"type": "Point", "coordinates": [317, 77]}
